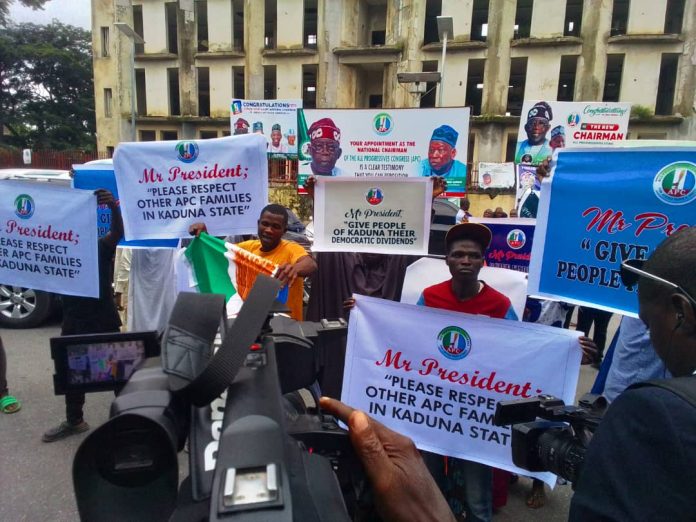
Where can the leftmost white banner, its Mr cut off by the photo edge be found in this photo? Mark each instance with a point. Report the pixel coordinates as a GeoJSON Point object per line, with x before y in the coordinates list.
{"type": "Point", "coordinates": [48, 238]}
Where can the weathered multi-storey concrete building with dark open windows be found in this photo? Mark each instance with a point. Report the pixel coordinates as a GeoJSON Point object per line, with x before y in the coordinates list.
{"type": "Point", "coordinates": [200, 54]}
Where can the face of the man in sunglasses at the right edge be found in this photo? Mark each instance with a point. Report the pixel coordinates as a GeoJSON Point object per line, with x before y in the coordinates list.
{"type": "Point", "coordinates": [673, 339]}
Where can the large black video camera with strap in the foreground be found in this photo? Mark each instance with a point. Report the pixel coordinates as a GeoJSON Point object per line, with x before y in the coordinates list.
{"type": "Point", "coordinates": [254, 453]}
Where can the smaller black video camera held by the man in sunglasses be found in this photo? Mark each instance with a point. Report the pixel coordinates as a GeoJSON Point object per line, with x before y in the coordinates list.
{"type": "Point", "coordinates": [557, 443]}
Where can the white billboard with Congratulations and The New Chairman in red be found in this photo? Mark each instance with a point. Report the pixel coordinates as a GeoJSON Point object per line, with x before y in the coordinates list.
{"type": "Point", "coordinates": [546, 126]}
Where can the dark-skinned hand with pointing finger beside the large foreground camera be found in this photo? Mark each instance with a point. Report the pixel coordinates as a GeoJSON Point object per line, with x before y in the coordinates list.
{"type": "Point", "coordinates": [404, 489]}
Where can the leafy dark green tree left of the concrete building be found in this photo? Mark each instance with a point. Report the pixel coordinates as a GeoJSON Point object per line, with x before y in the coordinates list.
{"type": "Point", "coordinates": [46, 86]}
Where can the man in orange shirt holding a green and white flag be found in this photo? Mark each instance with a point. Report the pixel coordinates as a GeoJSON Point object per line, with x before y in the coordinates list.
{"type": "Point", "coordinates": [294, 263]}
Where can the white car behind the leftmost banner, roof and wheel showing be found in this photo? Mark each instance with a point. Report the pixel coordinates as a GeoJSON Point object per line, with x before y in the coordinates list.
{"type": "Point", "coordinates": [23, 307]}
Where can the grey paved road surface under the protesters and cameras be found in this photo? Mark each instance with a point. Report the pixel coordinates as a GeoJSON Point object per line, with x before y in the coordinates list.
{"type": "Point", "coordinates": [36, 478]}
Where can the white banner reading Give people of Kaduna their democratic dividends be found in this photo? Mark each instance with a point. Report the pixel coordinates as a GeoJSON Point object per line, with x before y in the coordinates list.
{"type": "Point", "coordinates": [379, 215]}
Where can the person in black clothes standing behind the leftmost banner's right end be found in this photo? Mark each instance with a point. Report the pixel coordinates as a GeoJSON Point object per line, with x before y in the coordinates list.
{"type": "Point", "coordinates": [87, 315]}
